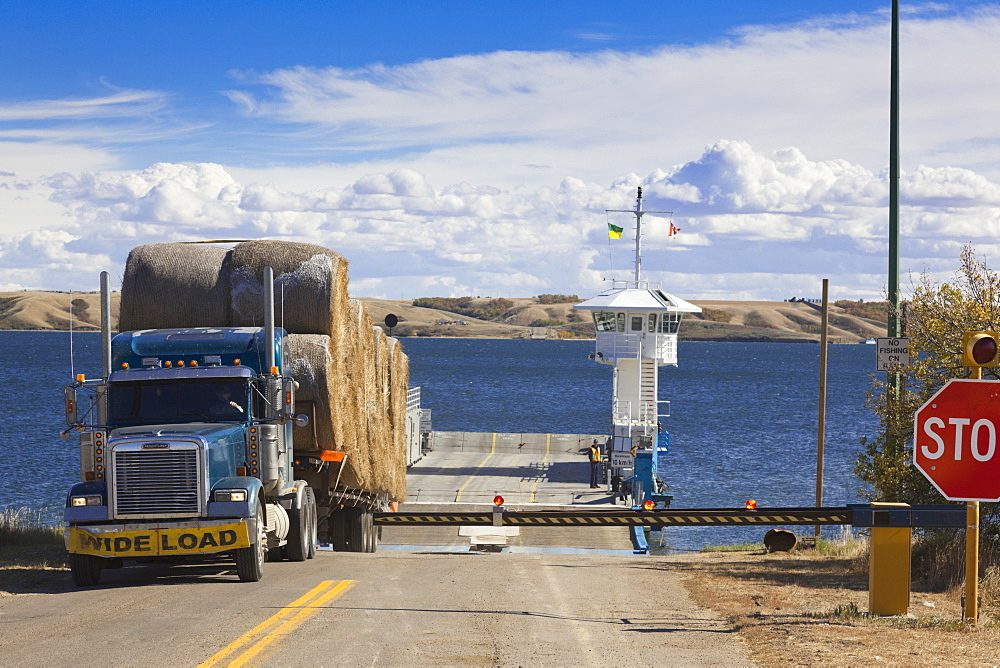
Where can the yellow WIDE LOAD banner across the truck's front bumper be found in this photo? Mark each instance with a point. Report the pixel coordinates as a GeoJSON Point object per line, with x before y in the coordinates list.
{"type": "Point", "coordinates": [136, 540]}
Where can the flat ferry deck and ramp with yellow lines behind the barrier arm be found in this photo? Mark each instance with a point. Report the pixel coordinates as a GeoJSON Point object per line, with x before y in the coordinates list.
{"type": "Point", "coordinates": [464, 471]}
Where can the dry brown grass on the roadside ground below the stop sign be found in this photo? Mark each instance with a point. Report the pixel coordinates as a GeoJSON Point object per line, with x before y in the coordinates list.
{"type": "Point", "coordinates": [808, 607]}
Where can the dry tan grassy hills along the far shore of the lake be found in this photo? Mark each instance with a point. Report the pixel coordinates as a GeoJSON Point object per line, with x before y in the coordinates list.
{"type": "Point", "coordinates": [850, 322]}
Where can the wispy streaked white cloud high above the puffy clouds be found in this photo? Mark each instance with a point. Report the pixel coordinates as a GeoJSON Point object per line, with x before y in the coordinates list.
{"type": "Point", "coordinates": [821, 86]}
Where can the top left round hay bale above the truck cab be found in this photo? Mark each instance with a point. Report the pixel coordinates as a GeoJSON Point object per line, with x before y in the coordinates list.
{"type": "Point", "coordinates": [174, 285]}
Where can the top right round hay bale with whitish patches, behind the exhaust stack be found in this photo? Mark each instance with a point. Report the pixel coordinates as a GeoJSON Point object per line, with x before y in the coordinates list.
{"type": "Point", "coordinates": [310, 286]}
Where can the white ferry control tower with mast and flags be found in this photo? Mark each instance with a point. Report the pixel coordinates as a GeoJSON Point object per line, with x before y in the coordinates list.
{"type": "Point", "coordinates": [636, 324]}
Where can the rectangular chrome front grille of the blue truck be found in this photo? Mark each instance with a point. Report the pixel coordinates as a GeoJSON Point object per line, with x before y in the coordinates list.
{"type": "Point", "coordinates": [156, 482]}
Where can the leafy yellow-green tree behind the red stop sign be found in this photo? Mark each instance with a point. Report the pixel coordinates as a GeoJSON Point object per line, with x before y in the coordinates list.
{"type": "Point", "coordinates": [935, 318]}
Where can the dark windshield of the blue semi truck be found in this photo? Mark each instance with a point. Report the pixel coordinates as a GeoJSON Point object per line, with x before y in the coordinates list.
{"type": "Point", "coordinates": [177, 401]}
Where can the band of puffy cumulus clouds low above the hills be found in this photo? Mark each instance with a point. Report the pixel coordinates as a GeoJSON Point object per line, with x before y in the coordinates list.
{"type": "Point", "coordinates": [754, 224]}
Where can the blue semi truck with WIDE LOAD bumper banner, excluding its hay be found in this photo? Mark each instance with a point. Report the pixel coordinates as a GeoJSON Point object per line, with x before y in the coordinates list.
{"type": "Point", "coordinates": [187, 451]}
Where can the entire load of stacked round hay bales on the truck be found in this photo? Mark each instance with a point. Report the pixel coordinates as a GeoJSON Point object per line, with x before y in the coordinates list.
{"type": "Point", "coordinates": [332, 341]}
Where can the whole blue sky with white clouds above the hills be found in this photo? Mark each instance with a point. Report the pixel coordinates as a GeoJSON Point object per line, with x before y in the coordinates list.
{"type": "Point", "coordinates": [472, 148]}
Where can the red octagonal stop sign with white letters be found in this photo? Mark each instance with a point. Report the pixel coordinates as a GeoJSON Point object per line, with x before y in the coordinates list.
{"type": "Point", "coordinates": [955, 440]}
